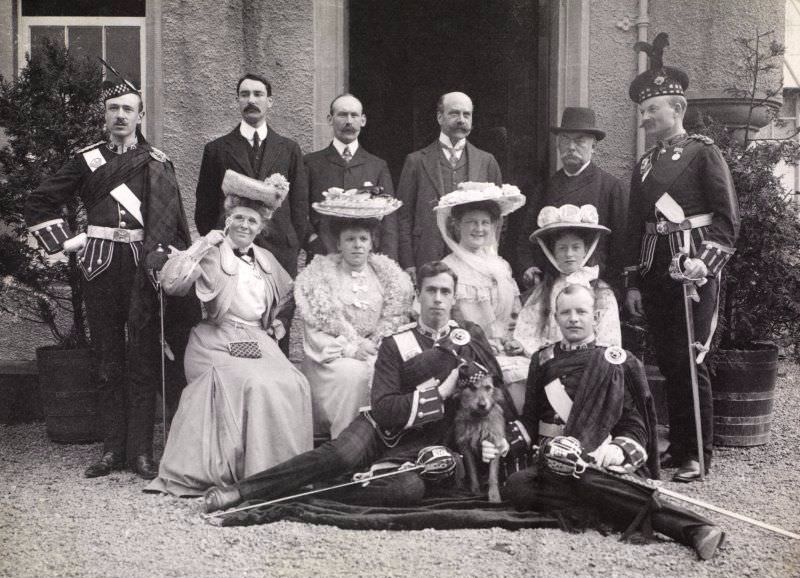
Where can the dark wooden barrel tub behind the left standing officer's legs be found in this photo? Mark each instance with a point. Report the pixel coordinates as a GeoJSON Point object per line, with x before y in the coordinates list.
{"type": "Point", "coordinates": [70, 395]}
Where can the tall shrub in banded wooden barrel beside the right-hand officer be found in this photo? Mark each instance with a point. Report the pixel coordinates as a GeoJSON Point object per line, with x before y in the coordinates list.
{"type": "Point", "coordinates": [760, 310]}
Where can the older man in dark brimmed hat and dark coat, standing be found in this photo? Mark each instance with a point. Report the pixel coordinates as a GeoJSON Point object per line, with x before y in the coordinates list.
{"type": "Point", "coordinates": [578, 182]}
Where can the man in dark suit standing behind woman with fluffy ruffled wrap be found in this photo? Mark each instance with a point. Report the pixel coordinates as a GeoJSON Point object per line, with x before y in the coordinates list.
{"type": "Point", "coordinates": [345, 164]}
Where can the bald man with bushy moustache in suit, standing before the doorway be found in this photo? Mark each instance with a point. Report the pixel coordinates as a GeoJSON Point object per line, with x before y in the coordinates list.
{"type": "Point", "coordinates": [434, 171]}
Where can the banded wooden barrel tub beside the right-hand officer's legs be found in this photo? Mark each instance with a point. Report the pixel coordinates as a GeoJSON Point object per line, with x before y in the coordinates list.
{"type": "Point", "coordinates": [743, 386]}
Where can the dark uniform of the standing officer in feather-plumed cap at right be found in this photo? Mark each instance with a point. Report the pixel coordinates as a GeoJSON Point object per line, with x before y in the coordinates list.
{"type": "Point", "coordinates": [692, 170]}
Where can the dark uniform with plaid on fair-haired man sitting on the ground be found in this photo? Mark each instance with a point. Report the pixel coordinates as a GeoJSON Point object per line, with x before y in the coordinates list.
{"type": "Point", "coordinates": [610, 398]}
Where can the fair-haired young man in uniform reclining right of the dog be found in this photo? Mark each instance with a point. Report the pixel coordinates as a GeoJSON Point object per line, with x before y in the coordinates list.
{"type": "Point", "coordinates": [593, 401]}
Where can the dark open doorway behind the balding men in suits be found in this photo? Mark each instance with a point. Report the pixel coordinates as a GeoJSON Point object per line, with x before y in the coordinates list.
{"type": "Point", "coordinates": [405, 54]}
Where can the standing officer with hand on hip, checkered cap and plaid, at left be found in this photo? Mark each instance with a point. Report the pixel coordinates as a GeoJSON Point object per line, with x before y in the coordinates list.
{"type": "Point", "coordinates": [134, 214]}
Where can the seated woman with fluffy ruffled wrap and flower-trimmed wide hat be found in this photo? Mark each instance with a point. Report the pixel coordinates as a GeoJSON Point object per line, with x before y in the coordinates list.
{"type": "Point", "coordinates": [348, 301]}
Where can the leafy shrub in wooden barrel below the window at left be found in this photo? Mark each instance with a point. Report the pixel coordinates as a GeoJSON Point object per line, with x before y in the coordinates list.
{"type": "Point", "coordinates": [51, 110]}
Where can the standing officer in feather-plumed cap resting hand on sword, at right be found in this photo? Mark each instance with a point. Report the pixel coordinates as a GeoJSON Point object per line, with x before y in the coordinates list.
{"type": "Point", "coordinates": [683, 223]}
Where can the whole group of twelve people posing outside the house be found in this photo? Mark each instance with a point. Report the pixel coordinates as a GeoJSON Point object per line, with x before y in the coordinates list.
{"type": "Point", "coordinates": [403, 294]}
